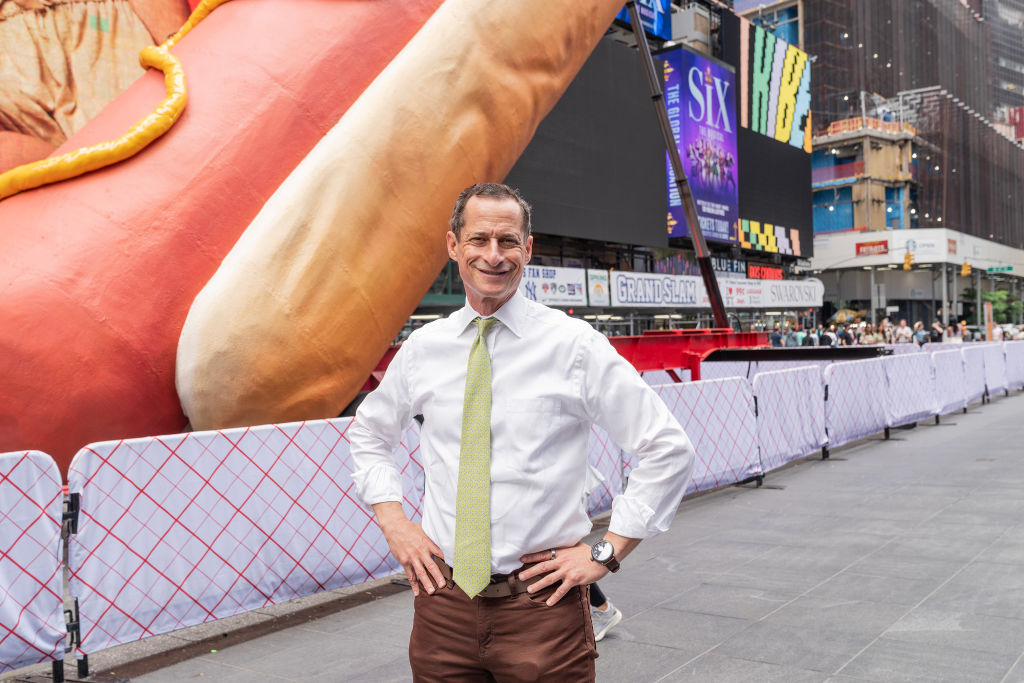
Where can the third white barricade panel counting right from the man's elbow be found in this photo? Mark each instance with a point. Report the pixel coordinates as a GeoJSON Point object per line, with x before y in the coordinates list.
{"type": "Point", "coordinates": [855, 405]}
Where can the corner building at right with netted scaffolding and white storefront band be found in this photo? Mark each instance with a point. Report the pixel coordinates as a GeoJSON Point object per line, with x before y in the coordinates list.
{"type": "Point", "coordinates": [914, 131]}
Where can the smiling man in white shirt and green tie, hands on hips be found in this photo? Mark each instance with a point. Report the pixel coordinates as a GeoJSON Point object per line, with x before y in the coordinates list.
{"type": "Point", "coordinates": [508, 391]}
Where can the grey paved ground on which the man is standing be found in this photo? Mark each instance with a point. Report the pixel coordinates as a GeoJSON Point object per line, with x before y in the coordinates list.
{"type": "Point", "coordinates": [899, 561]}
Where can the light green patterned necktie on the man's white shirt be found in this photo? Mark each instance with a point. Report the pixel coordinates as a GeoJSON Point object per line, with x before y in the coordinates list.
{"type": "Point", "coordinates": [473, 509]}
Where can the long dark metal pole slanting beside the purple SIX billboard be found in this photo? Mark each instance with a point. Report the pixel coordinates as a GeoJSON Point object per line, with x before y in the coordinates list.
{"type": "Point", "coordinates": [690, 206]}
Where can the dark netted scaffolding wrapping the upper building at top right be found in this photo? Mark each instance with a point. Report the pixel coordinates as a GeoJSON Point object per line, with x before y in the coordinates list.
{"type": "Point", "coordinates": [922, 66]}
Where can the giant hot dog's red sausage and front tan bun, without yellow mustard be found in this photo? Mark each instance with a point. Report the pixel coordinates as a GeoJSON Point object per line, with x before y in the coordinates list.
{"type": "Point", "coordinates": [253, 264]}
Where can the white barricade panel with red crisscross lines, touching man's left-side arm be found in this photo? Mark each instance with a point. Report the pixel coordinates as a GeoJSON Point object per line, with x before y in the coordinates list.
{"type": "Point", "coordinates": [183, 530]}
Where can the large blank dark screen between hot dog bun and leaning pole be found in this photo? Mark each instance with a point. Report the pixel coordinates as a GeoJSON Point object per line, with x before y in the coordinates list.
{"type": "Point", "coordinates": [595, 168]}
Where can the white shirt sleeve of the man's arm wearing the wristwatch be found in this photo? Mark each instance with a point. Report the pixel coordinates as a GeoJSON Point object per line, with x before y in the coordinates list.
{"type": "Point", "coordinates": [638, 420]}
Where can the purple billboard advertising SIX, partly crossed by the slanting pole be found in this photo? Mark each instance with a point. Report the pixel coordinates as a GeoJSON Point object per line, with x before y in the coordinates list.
{"type": "Point", "coordinates": [701, 100]}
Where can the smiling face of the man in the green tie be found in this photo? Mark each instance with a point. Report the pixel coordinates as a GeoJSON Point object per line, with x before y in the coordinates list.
{"type": "Point", "coordinates": [491, 252]}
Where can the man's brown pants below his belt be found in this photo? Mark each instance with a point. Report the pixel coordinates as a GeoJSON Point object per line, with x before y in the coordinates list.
{"type": "Point", "coordinates": [518, 638]}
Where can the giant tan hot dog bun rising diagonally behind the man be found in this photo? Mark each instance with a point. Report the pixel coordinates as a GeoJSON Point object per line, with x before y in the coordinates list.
{"type": "Point", "coordinates": [317, 288]}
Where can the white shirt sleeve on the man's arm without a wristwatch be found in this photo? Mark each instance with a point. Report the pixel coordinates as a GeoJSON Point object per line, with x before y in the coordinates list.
{"type": "Point", "coordinates": [376, 433]}
